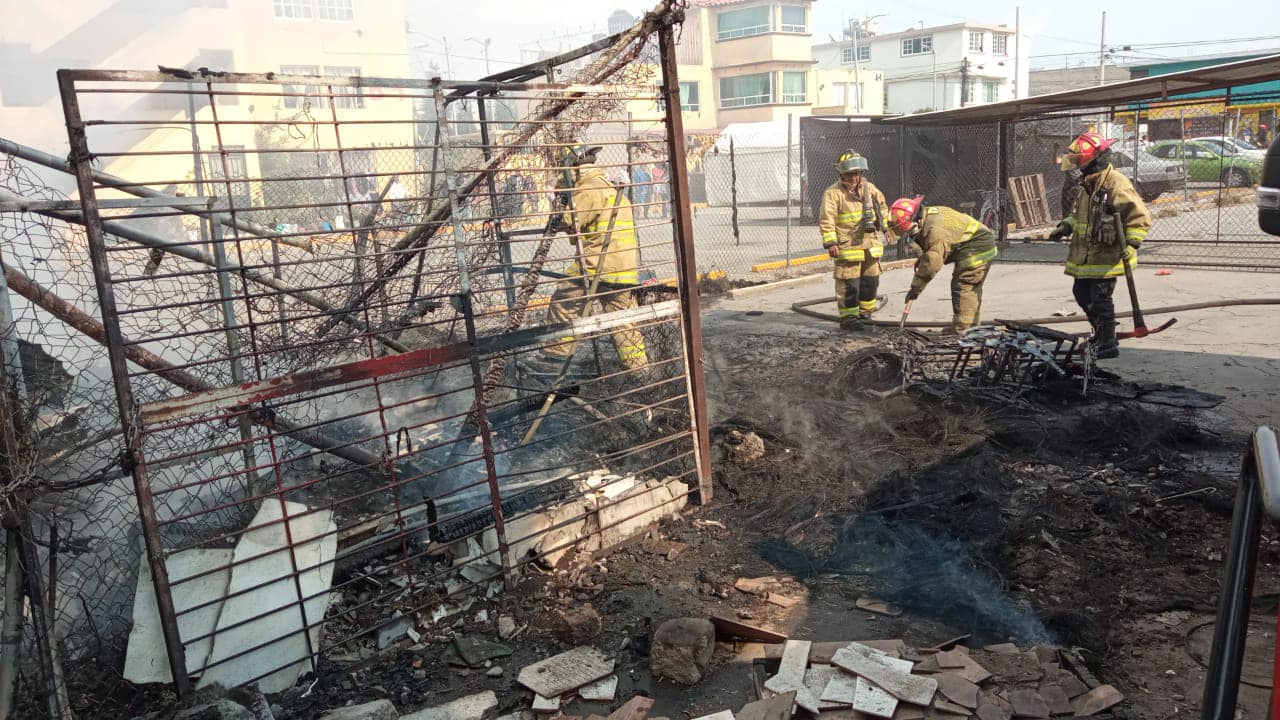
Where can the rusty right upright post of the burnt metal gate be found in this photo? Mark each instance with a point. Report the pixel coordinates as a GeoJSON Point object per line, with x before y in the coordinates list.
{"type": "Point", "coordinates": [688, 266]}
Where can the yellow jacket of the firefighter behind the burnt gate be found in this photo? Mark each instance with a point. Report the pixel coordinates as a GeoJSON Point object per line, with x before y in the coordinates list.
{"type": "Point", "coordinates": [593, 207]}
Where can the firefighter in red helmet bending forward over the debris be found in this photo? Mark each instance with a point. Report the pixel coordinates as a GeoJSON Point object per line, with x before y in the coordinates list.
{"type": "Point", "coordinates": [948, 238]}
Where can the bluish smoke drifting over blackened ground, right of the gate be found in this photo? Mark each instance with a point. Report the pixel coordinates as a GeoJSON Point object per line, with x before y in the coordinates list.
{"type": "Point", "coordinates": [916, 569]}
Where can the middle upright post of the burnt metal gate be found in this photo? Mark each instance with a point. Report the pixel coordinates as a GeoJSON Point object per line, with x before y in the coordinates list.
{"type": "Point", "coordinates": [481, 408]}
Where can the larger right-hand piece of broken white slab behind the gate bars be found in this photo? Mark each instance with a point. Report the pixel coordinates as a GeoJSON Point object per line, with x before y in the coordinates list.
{"type": "Point", "coordinates": [268, 600]}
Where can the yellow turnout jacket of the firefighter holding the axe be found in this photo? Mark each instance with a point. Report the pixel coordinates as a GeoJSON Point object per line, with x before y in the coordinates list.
{"type": "Point", "coordinates": [1095, 253]}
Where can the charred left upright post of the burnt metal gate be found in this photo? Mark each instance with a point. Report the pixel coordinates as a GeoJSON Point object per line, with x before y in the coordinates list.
{"type": "Point", "coordinates": [126, 405]}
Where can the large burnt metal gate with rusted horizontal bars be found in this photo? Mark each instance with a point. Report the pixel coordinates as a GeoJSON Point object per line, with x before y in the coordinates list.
{"type": "Point", "coordinates": [317, 335]}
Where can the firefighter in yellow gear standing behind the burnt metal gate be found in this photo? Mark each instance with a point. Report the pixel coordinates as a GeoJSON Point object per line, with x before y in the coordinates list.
{"type": "Point", "coordinates": [604, 229]}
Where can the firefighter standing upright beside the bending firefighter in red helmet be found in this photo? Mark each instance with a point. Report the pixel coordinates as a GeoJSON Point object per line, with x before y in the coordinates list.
{"type": "Point", "coordinates": [853, 216]}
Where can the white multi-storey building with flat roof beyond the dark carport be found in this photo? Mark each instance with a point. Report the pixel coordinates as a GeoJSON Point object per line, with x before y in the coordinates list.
{"type": "Point", "coordinates": [938, 69]}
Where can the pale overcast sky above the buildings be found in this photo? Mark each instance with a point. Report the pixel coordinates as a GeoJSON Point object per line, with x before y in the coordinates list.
{"type": "Point", "coordinates": [1053, 28]}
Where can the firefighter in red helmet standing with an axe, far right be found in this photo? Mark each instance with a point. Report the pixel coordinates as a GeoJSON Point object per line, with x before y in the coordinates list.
{"type": "Point", "coordinates": [1096, 257]}
